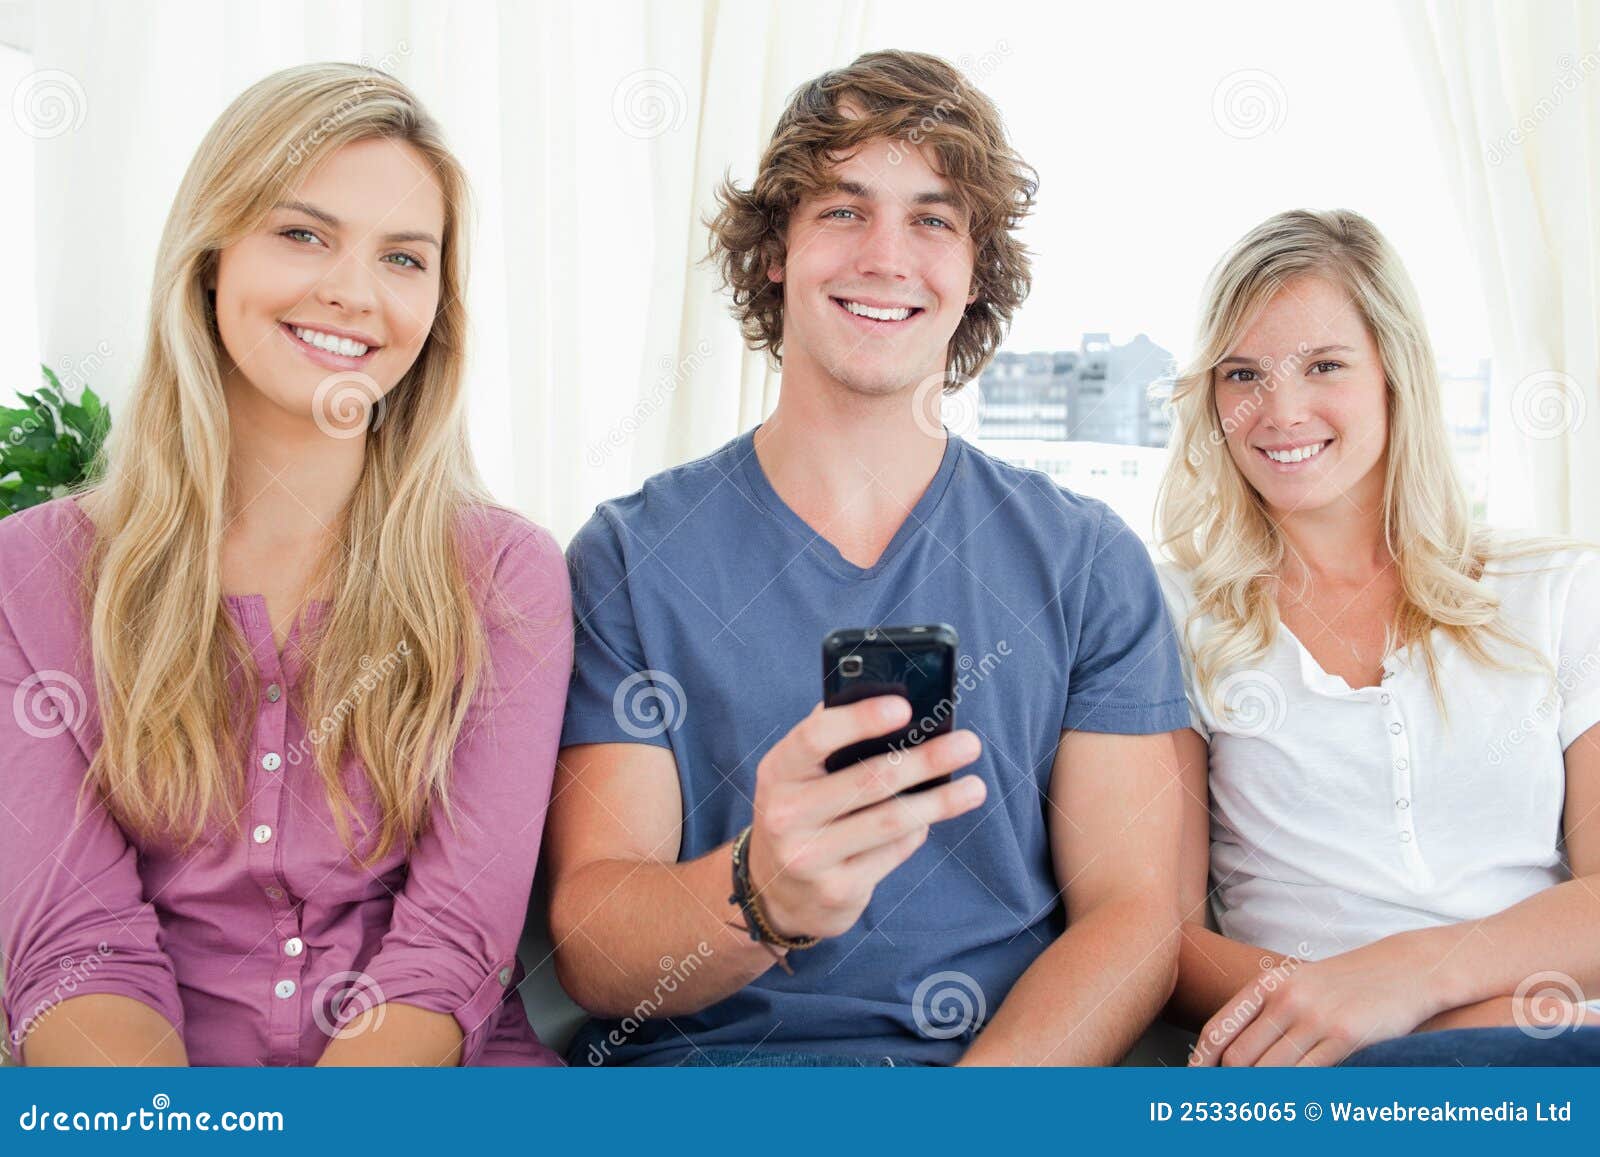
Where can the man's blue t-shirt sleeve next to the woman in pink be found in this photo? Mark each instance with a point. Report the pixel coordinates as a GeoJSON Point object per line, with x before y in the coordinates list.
{"type": "Point", "coordinates": [610, 670]}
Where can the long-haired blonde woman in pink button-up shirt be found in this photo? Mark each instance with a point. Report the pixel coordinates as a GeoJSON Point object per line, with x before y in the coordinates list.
{"type": "Point", "coordinates": [286, 686]}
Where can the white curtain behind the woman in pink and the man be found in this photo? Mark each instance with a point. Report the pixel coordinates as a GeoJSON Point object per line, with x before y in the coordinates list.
{"type": "Point", "coordinates": [594, 134]}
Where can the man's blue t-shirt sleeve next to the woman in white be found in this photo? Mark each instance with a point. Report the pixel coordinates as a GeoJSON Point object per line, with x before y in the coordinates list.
{"type": "Point", "coordinates": [1126, 675]}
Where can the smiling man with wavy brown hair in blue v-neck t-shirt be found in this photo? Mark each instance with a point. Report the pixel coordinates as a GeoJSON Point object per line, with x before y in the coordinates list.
{"type": "Point", "coordinates": [716, 895]}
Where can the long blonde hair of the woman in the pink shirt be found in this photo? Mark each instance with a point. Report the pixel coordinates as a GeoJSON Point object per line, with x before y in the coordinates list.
{"type": "Point", "coordinates": [175, 740]}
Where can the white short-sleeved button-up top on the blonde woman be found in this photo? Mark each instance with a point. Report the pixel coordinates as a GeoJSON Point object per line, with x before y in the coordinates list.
{"type": "Point", "coordinates": [1343, 815]}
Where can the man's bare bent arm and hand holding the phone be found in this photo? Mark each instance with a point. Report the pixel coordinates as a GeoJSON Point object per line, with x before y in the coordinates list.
{"type": "Point", "coordinates": [625, 915]}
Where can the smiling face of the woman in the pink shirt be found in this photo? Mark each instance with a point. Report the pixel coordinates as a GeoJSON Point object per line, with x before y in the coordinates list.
{"type": "Point", "coordinates": [342, 282]}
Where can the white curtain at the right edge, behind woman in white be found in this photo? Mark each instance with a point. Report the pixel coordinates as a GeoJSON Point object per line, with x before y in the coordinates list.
{"type": "Point", "coordinates": [1516, 95]}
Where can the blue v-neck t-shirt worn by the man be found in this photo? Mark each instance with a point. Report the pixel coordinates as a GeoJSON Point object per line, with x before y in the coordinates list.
{"type": "Point", "coordinates": [702, 603]}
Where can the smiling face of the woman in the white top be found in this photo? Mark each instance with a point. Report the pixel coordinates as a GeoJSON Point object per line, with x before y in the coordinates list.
{"type": "Point", "coordinates": [1310, 426]}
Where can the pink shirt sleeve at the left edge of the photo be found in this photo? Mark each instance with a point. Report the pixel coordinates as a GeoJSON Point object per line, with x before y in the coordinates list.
{"type": "Point", "coordinates": [73, 913]}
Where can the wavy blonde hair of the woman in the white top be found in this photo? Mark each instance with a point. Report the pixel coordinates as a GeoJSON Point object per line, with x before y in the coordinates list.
{"type": "Point", "coordinates": [1214, 524]}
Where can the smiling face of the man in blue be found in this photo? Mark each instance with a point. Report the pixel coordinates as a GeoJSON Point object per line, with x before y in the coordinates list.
{"type": "Point", "coordinates": [879, 273]}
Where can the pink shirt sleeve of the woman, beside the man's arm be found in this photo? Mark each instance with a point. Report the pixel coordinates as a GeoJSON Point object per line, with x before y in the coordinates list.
{"type": "Point", "coordinates": [452, 943]}
